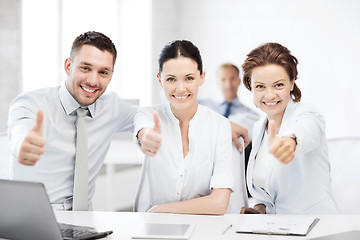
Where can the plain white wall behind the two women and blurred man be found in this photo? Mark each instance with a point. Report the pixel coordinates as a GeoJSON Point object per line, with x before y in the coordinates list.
{"type": "Point", "coordinates": [323, 35]}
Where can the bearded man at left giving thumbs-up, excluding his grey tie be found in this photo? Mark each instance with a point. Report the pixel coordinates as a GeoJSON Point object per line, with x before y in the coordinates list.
{"type": "Point", "coordinates": [42, 123]}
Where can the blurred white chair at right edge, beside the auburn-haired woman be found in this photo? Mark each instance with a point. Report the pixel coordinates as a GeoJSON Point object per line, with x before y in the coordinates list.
{"type": "Point", "coordinates": [344, 156]}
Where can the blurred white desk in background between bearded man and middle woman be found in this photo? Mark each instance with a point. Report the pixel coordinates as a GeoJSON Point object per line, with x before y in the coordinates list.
{"type": "Point", "coordinates": [117, 183]}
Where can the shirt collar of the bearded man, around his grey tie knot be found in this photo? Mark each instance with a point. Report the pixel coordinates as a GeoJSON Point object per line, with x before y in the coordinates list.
{"type": "Point", "coordinates": [70, 104]}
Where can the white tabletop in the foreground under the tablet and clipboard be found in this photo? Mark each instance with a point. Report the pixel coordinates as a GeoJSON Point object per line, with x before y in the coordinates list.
{"type": "Point", "coordinates": [207, 227]}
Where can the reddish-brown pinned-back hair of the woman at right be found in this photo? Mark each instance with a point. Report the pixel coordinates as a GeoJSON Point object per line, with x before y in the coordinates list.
{"type": "Point", "coordinates": [272, 53]}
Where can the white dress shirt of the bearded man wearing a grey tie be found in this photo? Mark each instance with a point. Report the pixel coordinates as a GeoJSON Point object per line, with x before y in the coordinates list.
{"type": "Point", "coordinates": [55, 169]}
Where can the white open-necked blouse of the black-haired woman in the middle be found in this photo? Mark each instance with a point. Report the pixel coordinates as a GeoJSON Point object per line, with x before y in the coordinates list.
{"type": "Point", "coordinates": [173, 178]}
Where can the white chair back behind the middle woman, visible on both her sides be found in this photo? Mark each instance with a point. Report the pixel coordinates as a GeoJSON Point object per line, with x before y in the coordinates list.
{"type": "Point", "coordinates": [238, 197]}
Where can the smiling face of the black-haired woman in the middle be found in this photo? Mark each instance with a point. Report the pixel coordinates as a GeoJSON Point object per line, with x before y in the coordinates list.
{"type": "Point", "coordinates": [181, 80]}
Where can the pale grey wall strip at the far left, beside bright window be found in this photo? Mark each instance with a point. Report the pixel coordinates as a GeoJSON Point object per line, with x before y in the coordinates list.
{"type": "Point", "coordinates": [10, 55]}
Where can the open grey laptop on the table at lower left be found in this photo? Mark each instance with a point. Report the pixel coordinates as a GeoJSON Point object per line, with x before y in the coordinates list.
{"type": "Point", "coordinates": [26, 213]}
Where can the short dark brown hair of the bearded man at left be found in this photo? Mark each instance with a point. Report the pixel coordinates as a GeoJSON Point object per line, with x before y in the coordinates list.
{"type": "Point", "coordinates": [95, 39]}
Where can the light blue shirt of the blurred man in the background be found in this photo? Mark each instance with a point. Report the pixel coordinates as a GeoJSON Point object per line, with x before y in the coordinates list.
{"type": "Point", "coordinates": [239, 113]}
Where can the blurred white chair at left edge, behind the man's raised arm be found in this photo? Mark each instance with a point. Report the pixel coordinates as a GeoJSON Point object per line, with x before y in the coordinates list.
{"type": "Point", "coordinates": [4, 156]}
